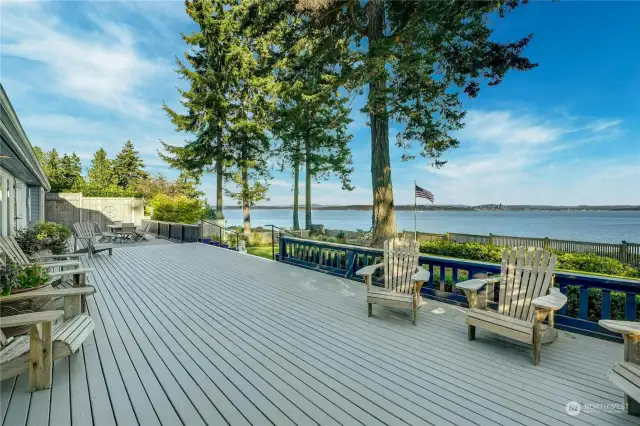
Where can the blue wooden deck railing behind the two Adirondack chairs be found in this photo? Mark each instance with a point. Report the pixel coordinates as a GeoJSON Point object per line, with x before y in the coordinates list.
{"type": "Point", "coordinates": [344, 260]}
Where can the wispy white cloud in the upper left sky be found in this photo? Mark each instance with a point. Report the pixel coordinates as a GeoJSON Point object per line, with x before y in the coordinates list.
{"type": "Point", "coordinates": [100, 67]}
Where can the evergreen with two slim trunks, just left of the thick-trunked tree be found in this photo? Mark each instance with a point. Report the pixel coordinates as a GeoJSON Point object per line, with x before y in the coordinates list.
{"type": "Point", "coordinates": [312, 125]}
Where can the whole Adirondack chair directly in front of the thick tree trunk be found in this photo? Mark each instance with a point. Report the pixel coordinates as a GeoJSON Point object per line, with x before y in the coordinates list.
{"type": "Point", "coordinates": [403, 278]}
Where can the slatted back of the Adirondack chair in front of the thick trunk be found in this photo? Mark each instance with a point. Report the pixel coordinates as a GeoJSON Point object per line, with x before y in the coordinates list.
{"type": "Point", "coordinates": [400, 263]}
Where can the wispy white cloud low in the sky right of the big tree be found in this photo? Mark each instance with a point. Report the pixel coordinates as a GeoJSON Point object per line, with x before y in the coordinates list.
{"type": "Point", "coordinates": [520, 160]}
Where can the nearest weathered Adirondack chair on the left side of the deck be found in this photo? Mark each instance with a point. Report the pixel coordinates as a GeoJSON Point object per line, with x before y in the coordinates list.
{"type": "Point", "coordinates": [46, 341]}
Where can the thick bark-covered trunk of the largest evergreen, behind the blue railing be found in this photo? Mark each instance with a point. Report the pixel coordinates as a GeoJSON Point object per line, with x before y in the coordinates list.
{"type": "Point", "coordinates": [384, 217]}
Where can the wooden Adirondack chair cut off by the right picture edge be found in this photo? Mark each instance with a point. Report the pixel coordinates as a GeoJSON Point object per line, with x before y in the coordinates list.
{"type": "Point", "coordinates": [626, 374]}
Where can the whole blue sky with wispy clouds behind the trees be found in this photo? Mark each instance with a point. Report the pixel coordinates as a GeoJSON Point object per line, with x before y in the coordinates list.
{"type": "Point", "coordinates": [85, 75]}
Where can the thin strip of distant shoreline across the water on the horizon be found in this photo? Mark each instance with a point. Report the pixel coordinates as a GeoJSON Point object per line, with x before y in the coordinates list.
{"type": "Point", "coordinates": [488, 207]}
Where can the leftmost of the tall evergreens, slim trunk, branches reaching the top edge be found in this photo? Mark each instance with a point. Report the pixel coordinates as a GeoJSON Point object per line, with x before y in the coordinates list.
{"type": "Point", "coordinates": [210, 71]}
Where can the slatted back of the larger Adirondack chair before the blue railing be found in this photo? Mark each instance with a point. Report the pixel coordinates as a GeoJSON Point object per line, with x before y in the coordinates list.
{"type": "Point", "coordinates": [525, 274]}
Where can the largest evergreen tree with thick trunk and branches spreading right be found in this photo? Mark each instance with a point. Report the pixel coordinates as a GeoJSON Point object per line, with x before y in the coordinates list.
{"type": "Point", "coordinates": [416, 59]}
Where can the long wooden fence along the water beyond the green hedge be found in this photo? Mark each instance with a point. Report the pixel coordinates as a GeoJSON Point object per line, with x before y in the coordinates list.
{"type": "Point", "coordinates": [624, 252]}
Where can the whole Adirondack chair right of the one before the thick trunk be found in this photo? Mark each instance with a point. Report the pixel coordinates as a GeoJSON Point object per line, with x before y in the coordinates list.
{"type": "Point", "coordinates": [524, 300]}
